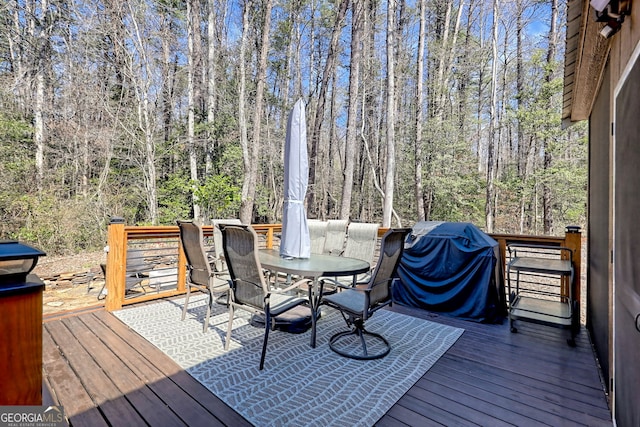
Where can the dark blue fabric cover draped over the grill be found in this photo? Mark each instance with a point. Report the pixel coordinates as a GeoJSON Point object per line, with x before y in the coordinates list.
{"type": "Point", "coordinates": [451, 268]}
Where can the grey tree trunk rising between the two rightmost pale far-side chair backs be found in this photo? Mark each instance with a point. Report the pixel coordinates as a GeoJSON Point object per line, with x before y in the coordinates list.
{"type": "Point", "coordinates": [352, 127]}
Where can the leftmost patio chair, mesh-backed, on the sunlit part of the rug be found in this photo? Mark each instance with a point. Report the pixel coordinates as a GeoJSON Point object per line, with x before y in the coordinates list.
{"type": "Point", "coordinates": [200, 275]}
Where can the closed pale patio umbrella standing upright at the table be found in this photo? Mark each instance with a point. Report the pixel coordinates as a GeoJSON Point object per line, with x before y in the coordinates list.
{"type": "Point", "coordinates": [295, 241]}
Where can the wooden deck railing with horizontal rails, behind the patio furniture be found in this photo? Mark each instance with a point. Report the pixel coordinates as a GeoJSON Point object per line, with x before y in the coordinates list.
{"type": "Point", "coordinates": [121, 237]}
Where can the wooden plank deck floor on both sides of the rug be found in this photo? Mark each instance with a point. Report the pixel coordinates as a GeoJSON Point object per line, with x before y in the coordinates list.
{"type": "Point", "coordinates": [103, 373]}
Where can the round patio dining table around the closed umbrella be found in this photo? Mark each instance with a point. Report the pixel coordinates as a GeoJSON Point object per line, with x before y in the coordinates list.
{"type": "Point", "coordinates": [314, 267]}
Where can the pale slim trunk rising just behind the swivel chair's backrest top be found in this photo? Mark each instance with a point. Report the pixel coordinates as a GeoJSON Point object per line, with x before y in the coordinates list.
{"type": "Point", "coordinates": [389, 187]}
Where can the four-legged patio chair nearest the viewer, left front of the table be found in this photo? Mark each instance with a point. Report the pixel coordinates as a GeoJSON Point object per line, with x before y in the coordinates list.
{"type": "Point", "coordinates": [249, 289]}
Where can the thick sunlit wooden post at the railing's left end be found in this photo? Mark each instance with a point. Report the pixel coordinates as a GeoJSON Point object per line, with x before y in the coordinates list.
{"type": "Point", "coordinates": [116, 264]}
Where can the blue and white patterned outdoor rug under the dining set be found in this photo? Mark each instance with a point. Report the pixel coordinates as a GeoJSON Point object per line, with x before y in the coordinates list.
{"type": "Point", "coordinates": [300, 385]}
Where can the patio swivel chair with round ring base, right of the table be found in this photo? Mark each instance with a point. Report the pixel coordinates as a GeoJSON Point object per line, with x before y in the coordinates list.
{"type": "Point", "coordinates": [358, 304]}
